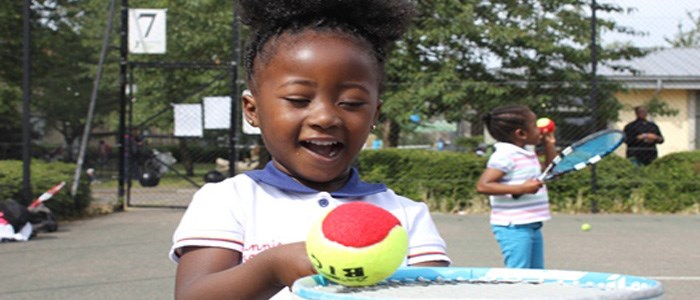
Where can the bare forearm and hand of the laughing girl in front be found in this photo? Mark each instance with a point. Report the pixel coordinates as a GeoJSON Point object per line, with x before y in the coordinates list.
{"type": "Point", "coordinates": [215, 273]}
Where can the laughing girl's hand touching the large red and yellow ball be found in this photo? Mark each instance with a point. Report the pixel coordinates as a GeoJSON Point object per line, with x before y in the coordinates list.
{"type": "Point", "coordinates": [291, 263]}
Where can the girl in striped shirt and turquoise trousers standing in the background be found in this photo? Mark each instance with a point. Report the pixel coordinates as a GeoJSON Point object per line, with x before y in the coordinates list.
{"type": "Point", "coordinates": [519, 202]}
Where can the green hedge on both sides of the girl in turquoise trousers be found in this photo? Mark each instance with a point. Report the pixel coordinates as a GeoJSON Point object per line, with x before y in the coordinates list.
{"type": "Point", "coordinates": [446, 181]}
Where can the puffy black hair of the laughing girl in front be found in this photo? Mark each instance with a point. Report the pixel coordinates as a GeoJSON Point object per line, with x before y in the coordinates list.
{"type": "Point", "coordinates": [380, 22]}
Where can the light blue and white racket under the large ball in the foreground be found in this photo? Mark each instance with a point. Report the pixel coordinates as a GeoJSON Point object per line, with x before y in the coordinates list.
{"type": "Point", "coordinates": [485, 283]}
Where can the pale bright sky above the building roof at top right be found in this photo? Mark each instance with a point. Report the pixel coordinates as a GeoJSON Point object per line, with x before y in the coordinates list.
{"type": "Point", "coordinates": [659, 18]}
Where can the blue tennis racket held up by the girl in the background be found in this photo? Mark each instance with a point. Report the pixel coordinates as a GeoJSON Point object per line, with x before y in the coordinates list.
{"type": "Point", "coordinates": [585, 152]}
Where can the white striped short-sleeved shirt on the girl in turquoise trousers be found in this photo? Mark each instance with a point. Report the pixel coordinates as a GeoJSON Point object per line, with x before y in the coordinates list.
{"type": "Point", "coordinates": [519, 165]}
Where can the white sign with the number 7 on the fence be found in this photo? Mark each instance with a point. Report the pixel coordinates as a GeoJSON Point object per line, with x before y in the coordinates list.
{"type": "Point", "coordinates": [147, 31]}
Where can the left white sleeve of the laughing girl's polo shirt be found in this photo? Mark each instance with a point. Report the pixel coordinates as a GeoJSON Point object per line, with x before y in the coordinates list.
{"type": "Point", "coordinates": [209, 221]}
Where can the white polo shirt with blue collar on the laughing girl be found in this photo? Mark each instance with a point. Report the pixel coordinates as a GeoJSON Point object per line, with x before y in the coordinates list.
{"type": "Point", "coordinates": [262, 209]}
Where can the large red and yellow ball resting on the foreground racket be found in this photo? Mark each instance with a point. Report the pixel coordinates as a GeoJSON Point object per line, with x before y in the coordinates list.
{"type": "Point", "coordinates": [357, 244]}
